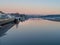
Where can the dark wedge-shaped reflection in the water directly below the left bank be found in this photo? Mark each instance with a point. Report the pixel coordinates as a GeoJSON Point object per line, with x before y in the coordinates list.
{"type": "Point", "coordinates": [5, 28]}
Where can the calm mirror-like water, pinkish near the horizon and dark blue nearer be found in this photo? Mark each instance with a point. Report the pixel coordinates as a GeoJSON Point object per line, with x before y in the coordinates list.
{"type": "Point", "coordinates": [31, 32]}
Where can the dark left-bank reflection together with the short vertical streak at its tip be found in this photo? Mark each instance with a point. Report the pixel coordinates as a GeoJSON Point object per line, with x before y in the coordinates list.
{"type": "Point", "coordinates": [6, 27]}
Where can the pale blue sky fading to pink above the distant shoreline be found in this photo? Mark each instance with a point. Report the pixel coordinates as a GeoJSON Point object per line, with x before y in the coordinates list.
{"type": "Point", "coordinates": [30, 6]}
